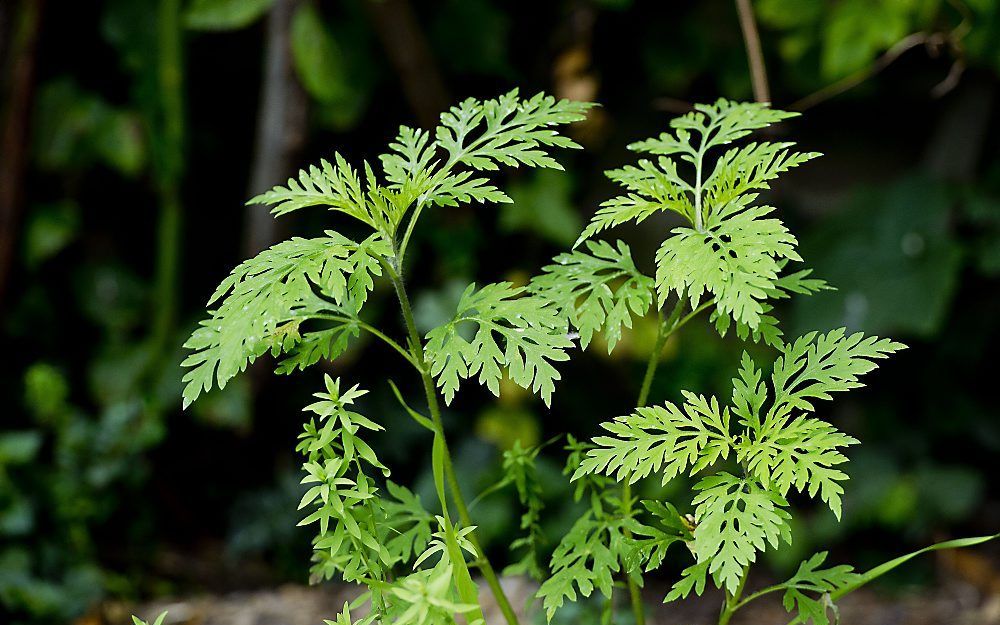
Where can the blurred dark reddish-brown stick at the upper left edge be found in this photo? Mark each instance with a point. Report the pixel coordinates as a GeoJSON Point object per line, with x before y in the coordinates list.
{"type": "Point", "coordinates": [24, 31]}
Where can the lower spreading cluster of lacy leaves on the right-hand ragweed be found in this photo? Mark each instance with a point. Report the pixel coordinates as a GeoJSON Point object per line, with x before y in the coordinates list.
{"type": "Point", "coordinates": [766, 431]}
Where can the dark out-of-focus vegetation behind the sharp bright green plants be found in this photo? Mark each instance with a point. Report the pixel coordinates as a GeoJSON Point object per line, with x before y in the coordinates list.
{"type": "Point", "coordinates": [134, 130]}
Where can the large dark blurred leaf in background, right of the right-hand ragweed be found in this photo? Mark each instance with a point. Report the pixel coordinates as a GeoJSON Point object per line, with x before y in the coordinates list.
{"type": "Point", "coordinates": [894, 259]}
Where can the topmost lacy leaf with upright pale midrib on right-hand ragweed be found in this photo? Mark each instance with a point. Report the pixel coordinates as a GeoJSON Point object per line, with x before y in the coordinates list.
{"type": "Point", "coordinates": [731, 249]}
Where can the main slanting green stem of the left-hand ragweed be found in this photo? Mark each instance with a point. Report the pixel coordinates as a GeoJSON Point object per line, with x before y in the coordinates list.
{"type": "Point", "coordinates": [417, 350]}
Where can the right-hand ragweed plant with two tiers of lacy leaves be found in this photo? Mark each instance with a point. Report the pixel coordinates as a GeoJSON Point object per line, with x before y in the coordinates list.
{"type": "Point", "coordinates": [732, 258]}
